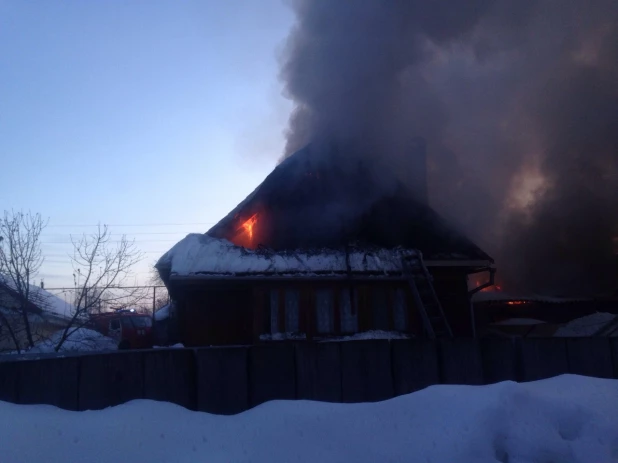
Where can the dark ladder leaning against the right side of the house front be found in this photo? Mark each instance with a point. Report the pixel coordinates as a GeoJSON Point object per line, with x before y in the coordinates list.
{"type": "Point", "coordinates": [435, 322]}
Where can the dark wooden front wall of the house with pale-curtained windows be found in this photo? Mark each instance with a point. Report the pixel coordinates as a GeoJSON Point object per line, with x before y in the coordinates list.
{"type": "Point", "coordinates": [241, 312]}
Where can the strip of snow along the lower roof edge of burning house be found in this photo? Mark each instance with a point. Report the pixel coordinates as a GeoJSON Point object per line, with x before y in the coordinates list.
{"type": "Point", "coordinates": [201, 254]}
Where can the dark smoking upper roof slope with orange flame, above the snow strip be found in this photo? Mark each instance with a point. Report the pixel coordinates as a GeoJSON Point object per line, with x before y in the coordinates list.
{"type": "Point", "coordinates": [326, 201]}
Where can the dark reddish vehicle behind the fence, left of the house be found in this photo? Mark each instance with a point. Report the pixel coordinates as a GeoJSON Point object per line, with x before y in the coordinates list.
{"type": "Point", "coordinates": [131, 329]}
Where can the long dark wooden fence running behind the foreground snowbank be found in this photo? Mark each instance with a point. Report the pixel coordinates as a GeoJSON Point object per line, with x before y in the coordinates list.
{"type": "Point", "coordinates": [229, 380]}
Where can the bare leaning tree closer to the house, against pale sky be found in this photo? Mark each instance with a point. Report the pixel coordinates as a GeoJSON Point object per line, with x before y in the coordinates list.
{"type": "Point", "coordinates": [101, 267]}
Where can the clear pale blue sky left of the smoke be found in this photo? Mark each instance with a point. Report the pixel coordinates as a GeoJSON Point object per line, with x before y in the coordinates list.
{"type": "Point", "coordinates": [138, 114]}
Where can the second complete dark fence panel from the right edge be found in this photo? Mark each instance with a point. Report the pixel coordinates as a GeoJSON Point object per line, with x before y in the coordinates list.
{"type": "Point", "coordinates": [543, 358]}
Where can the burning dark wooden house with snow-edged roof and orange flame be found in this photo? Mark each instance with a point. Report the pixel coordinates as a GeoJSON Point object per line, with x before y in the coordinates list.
{"type": "Point", "coordinates": [325, 248]}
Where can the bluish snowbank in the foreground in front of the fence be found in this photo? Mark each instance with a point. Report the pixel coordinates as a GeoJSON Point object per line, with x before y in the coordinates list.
{"type": "Point", "coordinates": [565, 419]}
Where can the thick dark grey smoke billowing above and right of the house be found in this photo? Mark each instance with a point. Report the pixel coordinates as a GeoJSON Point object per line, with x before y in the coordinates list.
{"type": "Point", "coordinates": [518, 102]}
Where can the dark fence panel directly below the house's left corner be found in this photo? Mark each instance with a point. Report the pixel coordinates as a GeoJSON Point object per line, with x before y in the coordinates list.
{"type": "Point", "coordinates": [169, 376]}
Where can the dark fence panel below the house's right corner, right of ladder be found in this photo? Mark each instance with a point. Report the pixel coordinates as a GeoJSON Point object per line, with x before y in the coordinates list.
{"type": "Point", "coordinates": [461, 361]}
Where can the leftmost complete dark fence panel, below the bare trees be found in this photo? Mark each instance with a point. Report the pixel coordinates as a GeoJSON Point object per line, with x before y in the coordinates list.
{"type": "Point", "coordinates": [53, 381]}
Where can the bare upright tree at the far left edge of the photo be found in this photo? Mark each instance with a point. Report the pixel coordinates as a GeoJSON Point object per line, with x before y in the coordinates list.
{"type": "Point", "coordinates": [20, 261]}
